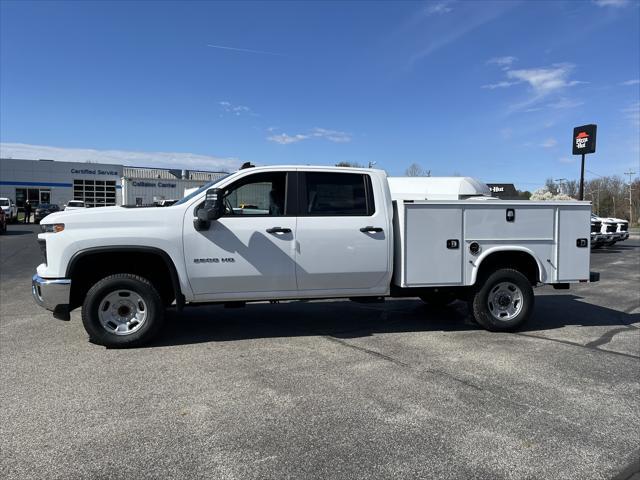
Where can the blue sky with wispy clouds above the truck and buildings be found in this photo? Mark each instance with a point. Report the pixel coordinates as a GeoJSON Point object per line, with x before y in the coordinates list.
{"type": "Point", "coordinates": [485, 89]}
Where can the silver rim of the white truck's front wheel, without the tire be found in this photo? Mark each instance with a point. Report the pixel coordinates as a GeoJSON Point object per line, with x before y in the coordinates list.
{"type": "Point", "coordinates": [122, 312]}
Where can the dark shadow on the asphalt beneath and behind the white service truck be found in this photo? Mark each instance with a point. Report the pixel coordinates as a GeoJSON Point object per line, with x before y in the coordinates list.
{"type": "Point", "coordinates": [345, 319]}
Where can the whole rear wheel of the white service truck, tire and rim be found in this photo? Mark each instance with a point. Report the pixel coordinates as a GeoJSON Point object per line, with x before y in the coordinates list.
{"type": "Point", "coordinates": [504, 301]}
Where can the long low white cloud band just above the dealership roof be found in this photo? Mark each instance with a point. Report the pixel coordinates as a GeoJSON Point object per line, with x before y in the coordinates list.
{"type": "Point", "coordinates": [120, 157]}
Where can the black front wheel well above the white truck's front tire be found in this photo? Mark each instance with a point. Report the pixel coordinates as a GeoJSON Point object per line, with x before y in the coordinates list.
{"type": "Point", "coordinates": [88, 268]}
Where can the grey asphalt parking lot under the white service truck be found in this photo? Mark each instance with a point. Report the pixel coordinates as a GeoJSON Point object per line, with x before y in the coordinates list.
{"type": "Point", "coordinates": [327, 389]}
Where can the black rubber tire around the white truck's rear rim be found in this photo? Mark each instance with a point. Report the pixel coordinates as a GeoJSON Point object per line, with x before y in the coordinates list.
{"type": "Point", "coordinates": [481, 300]}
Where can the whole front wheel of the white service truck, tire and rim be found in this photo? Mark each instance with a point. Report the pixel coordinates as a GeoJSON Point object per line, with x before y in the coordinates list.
{"type": "Point", "coordinates": [122, 310]}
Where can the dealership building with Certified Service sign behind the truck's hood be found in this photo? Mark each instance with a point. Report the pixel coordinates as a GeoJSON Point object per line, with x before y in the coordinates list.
{"type": "Point", "coordinates": [97, 184]}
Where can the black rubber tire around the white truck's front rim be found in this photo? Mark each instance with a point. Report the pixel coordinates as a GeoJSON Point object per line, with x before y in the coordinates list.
{"type": "Point", "coordinates": [122, 281]}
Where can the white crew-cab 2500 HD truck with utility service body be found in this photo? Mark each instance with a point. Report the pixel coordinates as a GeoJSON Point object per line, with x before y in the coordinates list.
{"type": "Point", "coordinates": [292, 232]}
